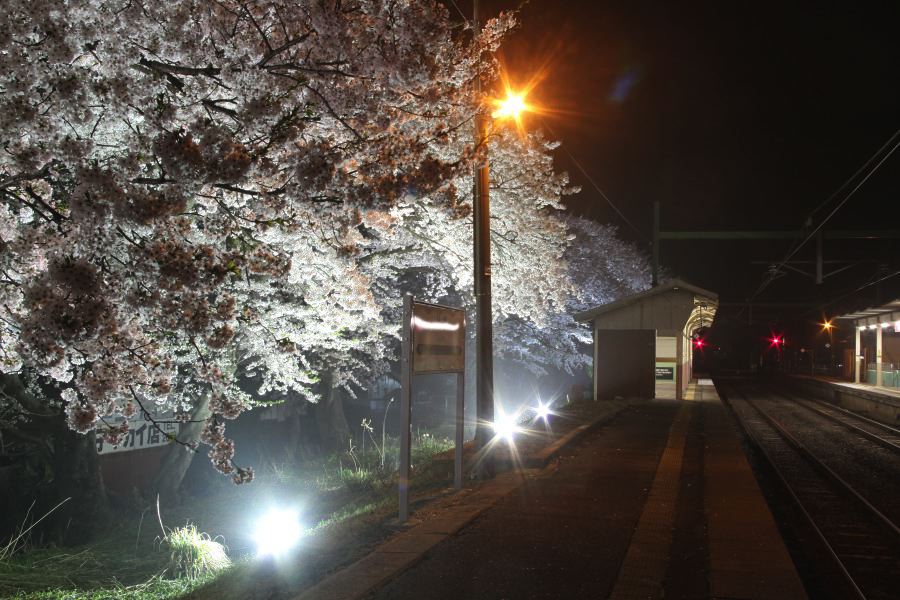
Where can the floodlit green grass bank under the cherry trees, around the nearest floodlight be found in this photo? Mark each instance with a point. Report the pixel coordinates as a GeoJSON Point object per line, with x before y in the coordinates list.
{"type": "Point", "coordinates": [345, 499]}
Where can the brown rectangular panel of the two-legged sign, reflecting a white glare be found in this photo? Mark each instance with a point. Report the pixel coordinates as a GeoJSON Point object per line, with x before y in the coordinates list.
{"type": "Point", "coordinates": [438, 339]}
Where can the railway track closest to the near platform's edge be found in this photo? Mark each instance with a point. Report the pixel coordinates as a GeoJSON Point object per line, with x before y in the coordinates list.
{"type": "Point", "coordinates": [862, 543]}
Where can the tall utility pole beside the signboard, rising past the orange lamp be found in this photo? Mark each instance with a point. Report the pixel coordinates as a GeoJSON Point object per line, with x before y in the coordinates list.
{"type": "Point", "coordinates": [484, 347]}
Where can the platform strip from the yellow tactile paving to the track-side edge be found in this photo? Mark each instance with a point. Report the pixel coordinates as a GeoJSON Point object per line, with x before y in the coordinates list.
{"type": "Point", "coordinates": [705, 530]}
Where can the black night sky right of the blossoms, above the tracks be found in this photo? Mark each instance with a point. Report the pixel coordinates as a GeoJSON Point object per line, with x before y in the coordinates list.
{"type": "Point", "coordinates": [733, 116]}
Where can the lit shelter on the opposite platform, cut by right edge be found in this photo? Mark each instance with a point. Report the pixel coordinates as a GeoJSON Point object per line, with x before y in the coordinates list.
{"type": "Point", "coordinates": [876, 359]}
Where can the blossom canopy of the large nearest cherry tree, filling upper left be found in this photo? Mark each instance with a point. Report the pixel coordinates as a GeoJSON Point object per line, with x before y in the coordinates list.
{"type": "Point", "coordinates": [183, 187]}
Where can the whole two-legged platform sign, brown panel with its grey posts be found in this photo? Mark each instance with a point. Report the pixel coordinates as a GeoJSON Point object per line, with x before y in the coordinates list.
{"type": "Point", "coordinates": [433, 341]}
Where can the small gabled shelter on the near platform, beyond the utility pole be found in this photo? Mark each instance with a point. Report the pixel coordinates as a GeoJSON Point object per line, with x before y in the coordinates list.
{"type": "Point", "coordinates": [643, 342]}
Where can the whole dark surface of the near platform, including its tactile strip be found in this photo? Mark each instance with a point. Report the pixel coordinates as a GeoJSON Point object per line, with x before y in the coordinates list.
{"type": "Point", "coordinates": [660, 502]}
